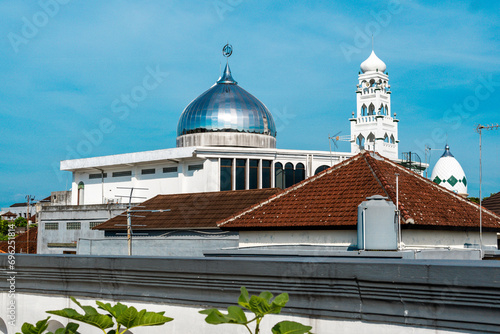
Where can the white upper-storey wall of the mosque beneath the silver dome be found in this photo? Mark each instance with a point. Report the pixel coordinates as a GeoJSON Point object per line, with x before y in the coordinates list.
{"type": "Point", "coordinates": [185, 180]}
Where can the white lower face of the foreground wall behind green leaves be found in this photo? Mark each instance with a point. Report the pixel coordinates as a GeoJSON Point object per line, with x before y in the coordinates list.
{"type": "Point", "coordinates": [187, 319]}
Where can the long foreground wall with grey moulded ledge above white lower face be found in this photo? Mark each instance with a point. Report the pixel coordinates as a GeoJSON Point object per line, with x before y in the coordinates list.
{"type": "Point", "coordinates": [332, 295]}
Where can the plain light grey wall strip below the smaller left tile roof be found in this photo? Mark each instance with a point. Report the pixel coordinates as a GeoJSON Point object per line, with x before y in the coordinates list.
{"type": "Point", "coordinates": [160, 246]}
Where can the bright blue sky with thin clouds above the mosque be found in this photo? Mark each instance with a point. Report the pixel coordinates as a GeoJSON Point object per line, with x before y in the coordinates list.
{"type": "Point", "coordinates": [64, 66]}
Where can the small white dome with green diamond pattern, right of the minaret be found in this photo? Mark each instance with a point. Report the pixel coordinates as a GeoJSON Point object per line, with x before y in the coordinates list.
{"type": "Point", "coordinates": [449, 174]}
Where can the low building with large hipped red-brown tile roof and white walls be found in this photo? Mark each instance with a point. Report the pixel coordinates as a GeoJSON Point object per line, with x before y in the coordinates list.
{"type": "Point", "coordinates": [323, 211]}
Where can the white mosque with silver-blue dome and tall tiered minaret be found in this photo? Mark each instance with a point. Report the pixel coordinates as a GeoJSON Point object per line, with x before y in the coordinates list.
{"type": "Point", "coordinates": [226, 140]}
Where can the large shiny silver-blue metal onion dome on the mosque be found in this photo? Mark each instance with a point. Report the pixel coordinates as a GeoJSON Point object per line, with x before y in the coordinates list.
{"type": "Point", "coordinates": [226, 107]}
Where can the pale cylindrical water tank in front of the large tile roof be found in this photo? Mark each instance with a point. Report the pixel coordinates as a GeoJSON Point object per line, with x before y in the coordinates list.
{"type": "Point", "coordinates": [377, 225]}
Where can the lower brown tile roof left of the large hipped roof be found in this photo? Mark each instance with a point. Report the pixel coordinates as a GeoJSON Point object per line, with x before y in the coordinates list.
{"type": "Point", "coordinates": [196, 210]}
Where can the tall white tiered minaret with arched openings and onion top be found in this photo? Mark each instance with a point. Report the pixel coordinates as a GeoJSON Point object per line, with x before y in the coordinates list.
{"type": "Point", "coordinates": [372, 126]}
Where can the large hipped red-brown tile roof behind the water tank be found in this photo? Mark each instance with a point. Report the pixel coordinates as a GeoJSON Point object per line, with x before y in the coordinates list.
{"type": "Point", "coordinates": [329, 200]}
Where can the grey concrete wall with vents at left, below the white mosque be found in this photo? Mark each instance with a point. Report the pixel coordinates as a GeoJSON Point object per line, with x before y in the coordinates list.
{"type": "Point", "coordinates": [52, 241]}
